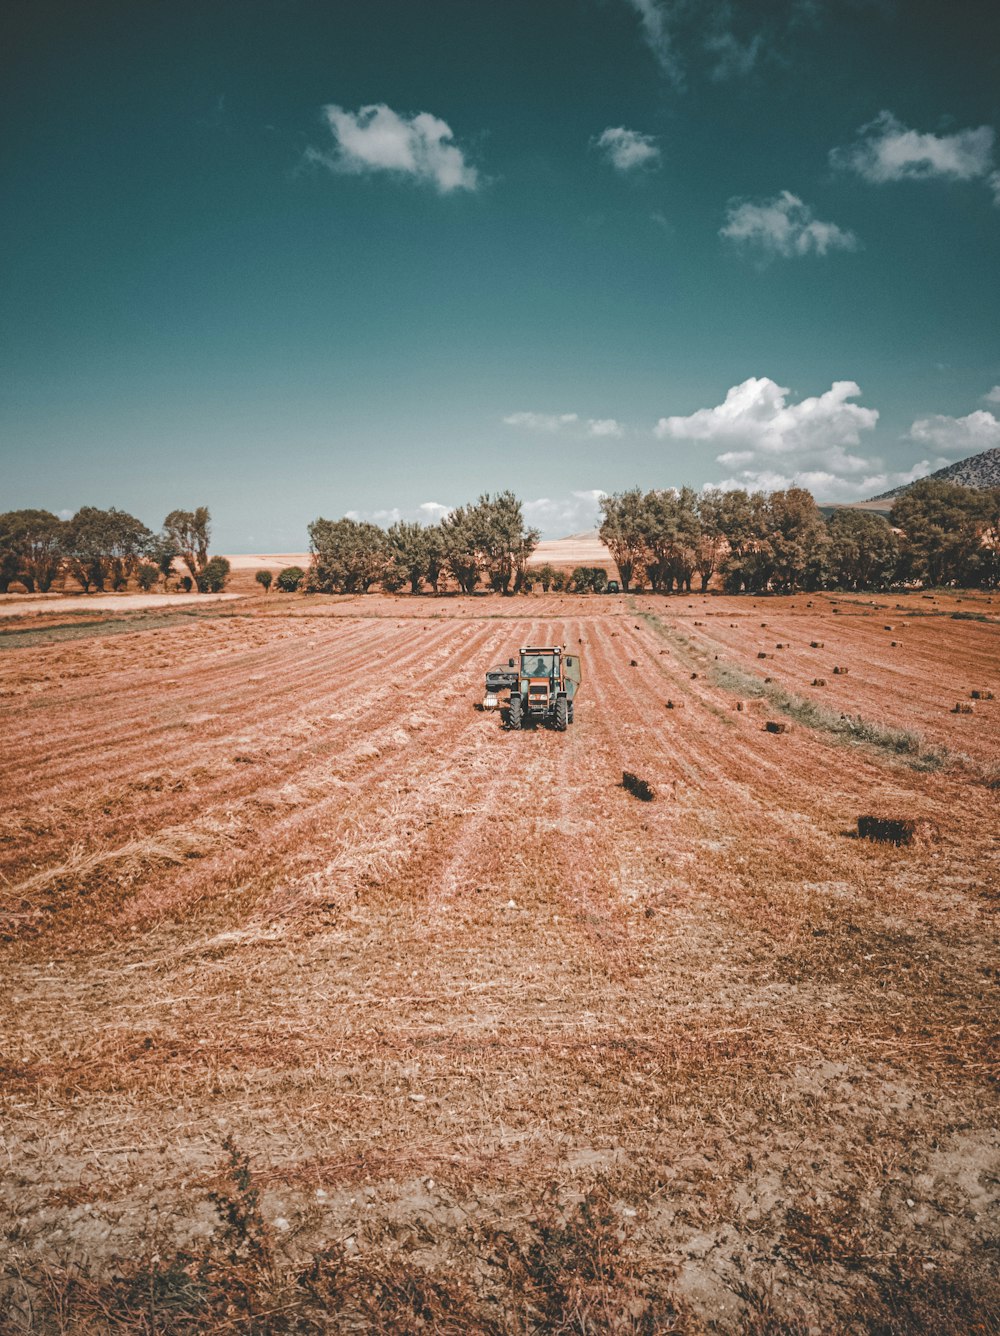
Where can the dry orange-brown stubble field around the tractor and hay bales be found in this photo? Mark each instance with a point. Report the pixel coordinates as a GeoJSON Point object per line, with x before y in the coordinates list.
{"type": "Point", "coordinates": [456, 1033]}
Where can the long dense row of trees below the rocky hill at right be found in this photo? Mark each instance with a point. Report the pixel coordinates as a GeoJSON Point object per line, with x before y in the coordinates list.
{"type": "Point", "coordinates": [938, 534]}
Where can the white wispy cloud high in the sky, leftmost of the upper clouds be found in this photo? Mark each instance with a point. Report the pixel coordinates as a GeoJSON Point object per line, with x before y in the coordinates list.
{"type": "Point", "coordinates": [380, 140]}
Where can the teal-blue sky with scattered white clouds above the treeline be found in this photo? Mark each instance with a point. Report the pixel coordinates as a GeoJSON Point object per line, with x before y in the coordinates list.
{"type": "Point", "coordinates": [293, 259]}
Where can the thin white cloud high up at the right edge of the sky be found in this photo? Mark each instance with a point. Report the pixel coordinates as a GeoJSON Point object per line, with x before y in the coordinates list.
{"type": "Point", "coordinates": [887, 150]}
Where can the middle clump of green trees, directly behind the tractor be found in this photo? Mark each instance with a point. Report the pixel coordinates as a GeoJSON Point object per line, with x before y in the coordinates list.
{"type": "Point", "coordinates": [484, 543]}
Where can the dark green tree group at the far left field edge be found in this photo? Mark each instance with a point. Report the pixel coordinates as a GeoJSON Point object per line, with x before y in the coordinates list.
{"type": "Point", "coordinates": [105, 550]}
